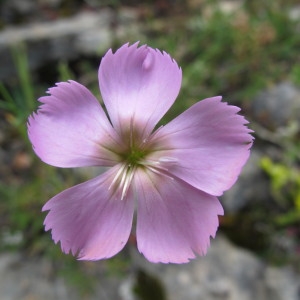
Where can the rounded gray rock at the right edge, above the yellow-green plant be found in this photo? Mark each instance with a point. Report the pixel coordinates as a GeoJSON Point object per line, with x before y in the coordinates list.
{"type": "Point", "coordinates": [277, 106]}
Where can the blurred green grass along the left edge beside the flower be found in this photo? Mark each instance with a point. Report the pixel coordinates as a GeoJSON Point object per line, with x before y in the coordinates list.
{"type": "Point", "coordinates": [23, 196]}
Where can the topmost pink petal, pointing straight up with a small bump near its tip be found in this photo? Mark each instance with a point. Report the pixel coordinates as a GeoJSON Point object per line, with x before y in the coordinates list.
{"type": "Point", "coordinates": [138, 86]}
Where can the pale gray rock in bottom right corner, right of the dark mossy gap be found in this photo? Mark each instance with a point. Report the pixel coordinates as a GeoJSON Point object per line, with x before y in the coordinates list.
{"type": "Point", "coordinates": [225, 273]}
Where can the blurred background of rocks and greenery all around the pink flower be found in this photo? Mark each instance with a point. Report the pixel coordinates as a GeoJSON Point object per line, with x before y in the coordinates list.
{"type": "Point", "coordinates": [248, 52]}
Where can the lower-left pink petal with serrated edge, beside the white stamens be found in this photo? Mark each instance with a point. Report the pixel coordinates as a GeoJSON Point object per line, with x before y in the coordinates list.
{"type": "Point", "coordinates": [89, 219]}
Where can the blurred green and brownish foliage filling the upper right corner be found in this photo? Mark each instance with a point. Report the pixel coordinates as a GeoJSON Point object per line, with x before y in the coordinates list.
{"type": "Point", "coordinates": [234, 54]}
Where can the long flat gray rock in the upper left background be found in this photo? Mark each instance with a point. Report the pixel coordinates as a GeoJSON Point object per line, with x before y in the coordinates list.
{"type": "Point", "coordinates": [85, 33]}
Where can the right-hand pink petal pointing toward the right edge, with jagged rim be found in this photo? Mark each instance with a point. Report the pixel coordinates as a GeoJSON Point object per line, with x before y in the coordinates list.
{"type": "Point", "coordinates": [210, 144]}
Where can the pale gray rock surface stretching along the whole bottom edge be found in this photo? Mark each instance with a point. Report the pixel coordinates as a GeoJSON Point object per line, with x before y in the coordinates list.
{"type": "Point", "coordinates": [226, 273]}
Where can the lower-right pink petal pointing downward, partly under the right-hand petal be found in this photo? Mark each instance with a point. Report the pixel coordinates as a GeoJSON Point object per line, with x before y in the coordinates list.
{"type": "Point", "coordinates": [174, 219]}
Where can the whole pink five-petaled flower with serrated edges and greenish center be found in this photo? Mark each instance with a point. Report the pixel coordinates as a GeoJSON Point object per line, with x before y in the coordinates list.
{"type": "Point", "coordinates": [171, 175]}
